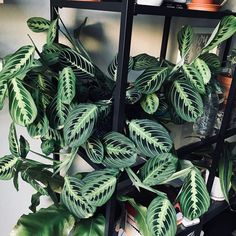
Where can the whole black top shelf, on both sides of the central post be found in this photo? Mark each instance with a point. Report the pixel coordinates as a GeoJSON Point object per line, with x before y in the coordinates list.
{"type": "Point", "coordinates": [115, 6]}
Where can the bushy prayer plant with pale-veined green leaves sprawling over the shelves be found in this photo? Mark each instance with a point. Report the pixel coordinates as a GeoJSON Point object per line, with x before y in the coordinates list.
{"type": "Point", "coordinates": [65, 101]}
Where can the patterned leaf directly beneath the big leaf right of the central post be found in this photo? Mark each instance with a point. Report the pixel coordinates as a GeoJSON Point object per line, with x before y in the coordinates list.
{"type": "Point", "coordinates": [158, 169]}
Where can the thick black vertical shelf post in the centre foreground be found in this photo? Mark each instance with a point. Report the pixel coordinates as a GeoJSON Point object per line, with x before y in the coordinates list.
{"type": "Point", "coordinates": [126, 25]}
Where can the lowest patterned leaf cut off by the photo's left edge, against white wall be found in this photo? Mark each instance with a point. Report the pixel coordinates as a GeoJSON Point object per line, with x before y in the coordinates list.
{"type": "Point", "coordinates": [7, 164]}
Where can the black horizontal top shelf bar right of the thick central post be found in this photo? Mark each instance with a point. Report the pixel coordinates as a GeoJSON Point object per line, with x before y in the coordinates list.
{"type": "Point", "coordinates": [165, 11]}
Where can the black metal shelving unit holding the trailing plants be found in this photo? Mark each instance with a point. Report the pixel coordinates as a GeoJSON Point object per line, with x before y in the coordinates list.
{"type": "Point", "coordinates": [128, 9]}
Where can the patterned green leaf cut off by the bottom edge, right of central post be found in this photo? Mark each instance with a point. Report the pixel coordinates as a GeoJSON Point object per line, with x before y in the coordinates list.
{"type": "Point", "coordinates": [161, 217]}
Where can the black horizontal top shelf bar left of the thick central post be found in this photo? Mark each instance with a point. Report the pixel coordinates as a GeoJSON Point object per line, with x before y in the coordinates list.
{"type": "Point", "coordinates": [99, 6]}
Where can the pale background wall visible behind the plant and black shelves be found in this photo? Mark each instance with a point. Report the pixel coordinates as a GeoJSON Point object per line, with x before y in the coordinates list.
{"type": "Point", "coordinates": [101, 37]}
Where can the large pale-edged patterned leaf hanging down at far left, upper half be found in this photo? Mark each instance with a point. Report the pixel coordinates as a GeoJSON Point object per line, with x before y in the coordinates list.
{"type": "Point", "coordinates": [21, 104]}
